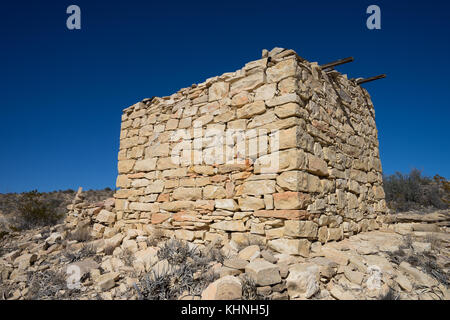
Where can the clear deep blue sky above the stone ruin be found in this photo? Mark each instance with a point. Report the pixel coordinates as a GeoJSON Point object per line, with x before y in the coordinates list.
{"type": "Point", "coordinates": [62, 91]}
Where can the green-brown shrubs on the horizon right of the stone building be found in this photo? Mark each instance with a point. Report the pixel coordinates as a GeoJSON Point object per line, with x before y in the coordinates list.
{"type": "Point", "coordinates": [413, 191]}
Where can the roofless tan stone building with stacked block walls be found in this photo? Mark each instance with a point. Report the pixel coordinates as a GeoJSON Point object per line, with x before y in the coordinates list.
{"type": "Point", "coordinates": [278, 152]}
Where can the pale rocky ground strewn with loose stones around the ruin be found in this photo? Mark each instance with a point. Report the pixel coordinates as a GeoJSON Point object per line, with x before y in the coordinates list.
{"type": "Point", "coordinates": [408, 259]}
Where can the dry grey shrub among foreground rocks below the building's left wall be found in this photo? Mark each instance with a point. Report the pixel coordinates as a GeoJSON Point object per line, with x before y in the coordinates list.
{"type": "Point", "coordinates": [189, 273]}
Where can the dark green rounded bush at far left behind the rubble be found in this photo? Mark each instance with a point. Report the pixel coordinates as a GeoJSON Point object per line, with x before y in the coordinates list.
{"type": "Point", "coordinates": [34, 211]}
